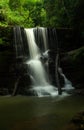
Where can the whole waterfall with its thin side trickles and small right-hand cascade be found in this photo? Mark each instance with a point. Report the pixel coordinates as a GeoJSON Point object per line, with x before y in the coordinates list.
{"type": "Point", "coordinates": [36, 50]}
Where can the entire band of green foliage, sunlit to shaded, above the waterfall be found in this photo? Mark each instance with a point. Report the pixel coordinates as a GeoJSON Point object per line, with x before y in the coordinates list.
{"type": "Point", "coordinates": [52, 13]}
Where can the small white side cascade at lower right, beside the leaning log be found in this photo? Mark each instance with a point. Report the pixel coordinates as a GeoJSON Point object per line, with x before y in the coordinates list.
{"type": "Point", "coordinates": [67, 84]}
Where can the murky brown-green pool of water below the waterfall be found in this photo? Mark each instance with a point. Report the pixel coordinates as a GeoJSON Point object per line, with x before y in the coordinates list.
{"type": "Point", "coordinates": [33, 113]}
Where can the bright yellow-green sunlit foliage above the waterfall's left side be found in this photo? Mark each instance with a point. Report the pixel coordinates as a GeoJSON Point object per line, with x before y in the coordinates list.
{"type": "Point", "coordinates": [26, 13]}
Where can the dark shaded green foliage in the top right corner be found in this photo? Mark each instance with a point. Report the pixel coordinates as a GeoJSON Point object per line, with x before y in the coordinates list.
{"type": "Point", "coordinates": [64, 13]}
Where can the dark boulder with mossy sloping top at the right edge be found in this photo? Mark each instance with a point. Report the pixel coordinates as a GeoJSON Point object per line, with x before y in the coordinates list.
{"type": "Point", "coordinates": [72, 63]}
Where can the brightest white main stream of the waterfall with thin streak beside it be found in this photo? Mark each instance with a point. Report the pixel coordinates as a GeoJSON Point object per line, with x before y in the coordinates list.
{"type": "Point", "coordinates": [41, 85]}
